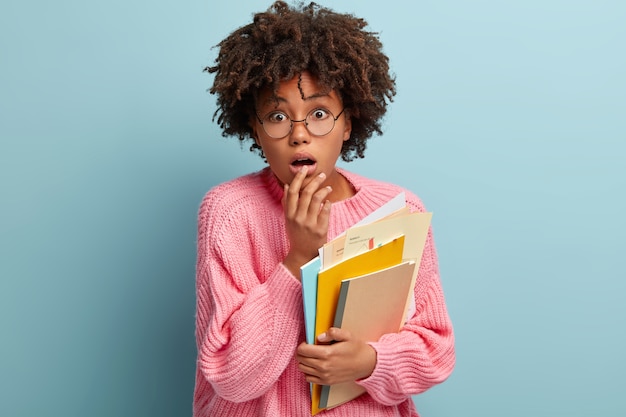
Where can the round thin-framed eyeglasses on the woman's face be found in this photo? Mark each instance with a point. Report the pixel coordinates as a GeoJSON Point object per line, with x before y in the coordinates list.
{"type": "Point", "coordinates": [319, 122]}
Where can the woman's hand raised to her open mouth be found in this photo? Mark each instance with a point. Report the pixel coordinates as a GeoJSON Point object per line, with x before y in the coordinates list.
{"type": "Point", "coordinates": [307, 211]}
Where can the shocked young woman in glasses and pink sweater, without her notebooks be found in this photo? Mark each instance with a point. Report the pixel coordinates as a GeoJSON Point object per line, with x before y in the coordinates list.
{"type": "Point", "coordinates": [305, 86]}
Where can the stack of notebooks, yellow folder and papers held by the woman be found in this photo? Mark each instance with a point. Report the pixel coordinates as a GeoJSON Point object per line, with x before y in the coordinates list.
{"type": "Point", "coordinates": [363, 281]}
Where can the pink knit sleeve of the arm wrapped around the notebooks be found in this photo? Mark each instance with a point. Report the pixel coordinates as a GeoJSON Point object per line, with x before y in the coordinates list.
{"type": "Point", "coordinates": [422, 354]}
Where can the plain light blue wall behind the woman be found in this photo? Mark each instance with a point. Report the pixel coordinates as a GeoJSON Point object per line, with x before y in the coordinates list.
{"type": "Point", "coordinates": [509, 123]}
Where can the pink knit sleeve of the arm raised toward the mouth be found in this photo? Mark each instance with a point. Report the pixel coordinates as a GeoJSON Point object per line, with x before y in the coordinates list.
{"type": "Point", "coordinates": [247, 326]}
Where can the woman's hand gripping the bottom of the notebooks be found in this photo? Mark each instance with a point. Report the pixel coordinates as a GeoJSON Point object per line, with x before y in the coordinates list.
{"type": "Point", "coordinates": [346, 359]}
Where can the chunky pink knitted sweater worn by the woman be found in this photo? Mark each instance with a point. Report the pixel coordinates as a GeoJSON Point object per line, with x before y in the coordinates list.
{"type": "Point", "coordinates": [249, 317]}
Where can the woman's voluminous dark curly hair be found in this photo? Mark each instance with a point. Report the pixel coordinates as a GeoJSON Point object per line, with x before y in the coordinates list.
{"type": "Point", "coordinates": [285, 41]}
